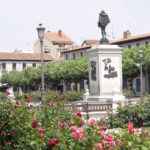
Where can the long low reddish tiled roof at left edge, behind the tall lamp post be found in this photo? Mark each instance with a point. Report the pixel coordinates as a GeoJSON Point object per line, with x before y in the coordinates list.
{"type": "Point", "coordinates": [16, 56]}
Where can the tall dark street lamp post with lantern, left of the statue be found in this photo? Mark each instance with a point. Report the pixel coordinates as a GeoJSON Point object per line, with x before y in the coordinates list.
{"type": "Point", "coordinates": [41, 32]}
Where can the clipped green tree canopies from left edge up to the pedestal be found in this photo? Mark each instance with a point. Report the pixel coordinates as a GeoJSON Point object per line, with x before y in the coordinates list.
{"type": "Point", "coordinates": [55, 72]}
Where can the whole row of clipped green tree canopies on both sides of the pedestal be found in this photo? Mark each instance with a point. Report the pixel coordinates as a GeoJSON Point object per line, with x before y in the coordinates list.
{"type": "Point", "coordinates": [75, 70]}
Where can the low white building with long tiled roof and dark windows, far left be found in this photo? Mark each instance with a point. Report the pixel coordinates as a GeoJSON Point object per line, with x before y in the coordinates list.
{"type": "Point", "coordinates": [10, 61]}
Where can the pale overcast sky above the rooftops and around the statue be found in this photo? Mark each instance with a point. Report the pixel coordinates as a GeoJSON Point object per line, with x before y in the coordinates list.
{"type": "Point", "coordinates": [77, 18]}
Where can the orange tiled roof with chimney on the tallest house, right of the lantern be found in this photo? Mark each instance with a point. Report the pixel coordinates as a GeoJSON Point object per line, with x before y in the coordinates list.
{"type": "Point", "coordinates": [58, 37]}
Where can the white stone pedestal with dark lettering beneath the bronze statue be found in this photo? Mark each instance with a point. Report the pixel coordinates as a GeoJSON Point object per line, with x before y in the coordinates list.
{"type": "Point", "coordinates": [105, 73]}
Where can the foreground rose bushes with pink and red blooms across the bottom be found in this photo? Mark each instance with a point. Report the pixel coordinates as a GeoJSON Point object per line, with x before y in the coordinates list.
{"type": "Point", "coordinates": [52, 127]}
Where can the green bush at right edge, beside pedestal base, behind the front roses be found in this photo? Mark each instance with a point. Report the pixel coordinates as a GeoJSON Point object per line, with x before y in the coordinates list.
{"type": "Point", "coordinates": [139, 114]}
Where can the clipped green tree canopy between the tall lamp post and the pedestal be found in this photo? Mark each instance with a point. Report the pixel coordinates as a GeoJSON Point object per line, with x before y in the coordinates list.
{"type": "Point", "coordinates": [70, 70]}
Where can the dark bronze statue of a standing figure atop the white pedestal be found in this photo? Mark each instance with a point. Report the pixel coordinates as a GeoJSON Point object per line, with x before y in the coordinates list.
{"type": "Point", "coordinates": [102, 23]}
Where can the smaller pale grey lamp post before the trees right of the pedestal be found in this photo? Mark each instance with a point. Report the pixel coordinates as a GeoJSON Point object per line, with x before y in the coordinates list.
{"type": "Point", "coordinates": [141, 72]}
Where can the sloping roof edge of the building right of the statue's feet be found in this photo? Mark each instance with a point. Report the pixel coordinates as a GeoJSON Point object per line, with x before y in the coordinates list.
{"type": "Point", "coordinates": [131, 38]}
